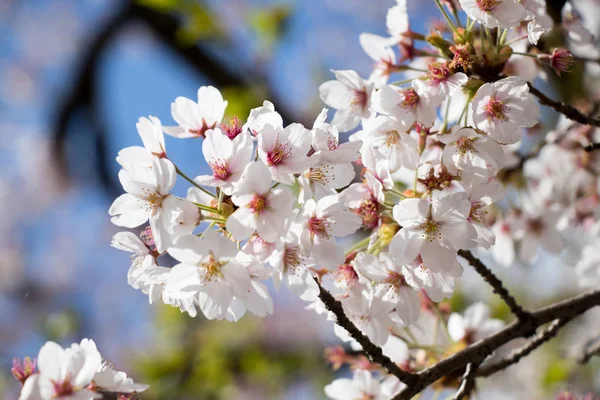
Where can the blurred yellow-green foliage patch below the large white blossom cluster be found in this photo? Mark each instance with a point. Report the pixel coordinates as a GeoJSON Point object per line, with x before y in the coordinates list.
{"type": "Point", "coordinates": [199, 359]}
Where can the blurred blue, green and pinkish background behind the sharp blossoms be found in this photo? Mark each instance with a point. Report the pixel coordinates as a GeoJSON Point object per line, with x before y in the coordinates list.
{"type": "Point", "coordinates": [75, 75]}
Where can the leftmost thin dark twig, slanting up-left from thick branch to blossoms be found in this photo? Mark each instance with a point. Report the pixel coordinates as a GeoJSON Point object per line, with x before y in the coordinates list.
{"type": "Point", "coordinates": [373, 351]}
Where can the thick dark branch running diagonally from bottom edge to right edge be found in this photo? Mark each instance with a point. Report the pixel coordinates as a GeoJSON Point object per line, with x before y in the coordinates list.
{"type": "Point", "coordinates": [479, 351]}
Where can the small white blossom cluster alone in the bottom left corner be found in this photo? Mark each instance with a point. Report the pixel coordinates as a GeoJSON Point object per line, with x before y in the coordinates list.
{"type": "Point", "coordinates": [77, 372]}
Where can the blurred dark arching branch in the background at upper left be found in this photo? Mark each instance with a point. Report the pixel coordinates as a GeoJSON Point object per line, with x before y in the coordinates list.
{"type": "Point", "coordinates": [82, 94]}
